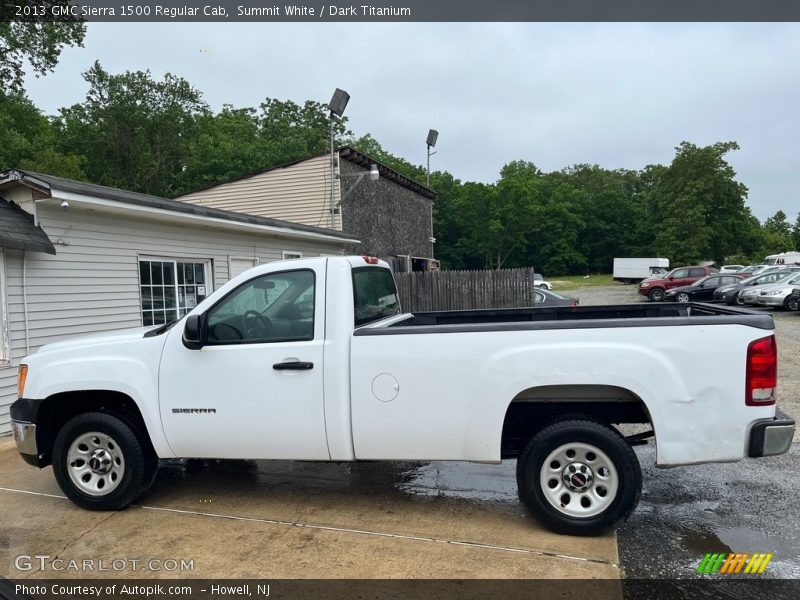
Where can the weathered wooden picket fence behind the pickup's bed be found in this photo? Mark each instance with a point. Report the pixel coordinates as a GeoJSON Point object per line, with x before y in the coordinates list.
{"type": "Point", "coordinates": [463, 290]}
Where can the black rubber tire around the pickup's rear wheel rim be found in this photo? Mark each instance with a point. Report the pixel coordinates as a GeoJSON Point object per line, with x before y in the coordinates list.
{"type": "Point", "coordinates": [561, 434]}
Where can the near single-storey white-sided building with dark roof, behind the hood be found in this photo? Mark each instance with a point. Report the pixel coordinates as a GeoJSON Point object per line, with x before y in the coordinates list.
{"type": "Point", "coordinates": [78, 258]}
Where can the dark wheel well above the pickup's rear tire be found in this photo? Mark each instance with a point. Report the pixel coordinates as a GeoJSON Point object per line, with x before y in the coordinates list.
{"type": "Point", "coordinates": [533, 408]}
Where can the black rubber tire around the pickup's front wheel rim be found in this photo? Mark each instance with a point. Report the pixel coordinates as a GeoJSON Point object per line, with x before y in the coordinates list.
{"type": "Point", "coordinates": [138, 461]}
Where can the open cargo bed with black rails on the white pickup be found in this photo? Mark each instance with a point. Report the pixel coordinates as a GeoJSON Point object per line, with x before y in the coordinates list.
{"type": "Point", "coordinates": [581, 317]}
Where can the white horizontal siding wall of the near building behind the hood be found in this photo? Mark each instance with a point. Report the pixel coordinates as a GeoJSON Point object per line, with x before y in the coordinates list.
{"type": "Point", "coordinates": [92, 283]}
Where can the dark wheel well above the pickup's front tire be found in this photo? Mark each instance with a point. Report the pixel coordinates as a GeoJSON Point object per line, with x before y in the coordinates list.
{"type": "Point", "coordinates": [60, 408]}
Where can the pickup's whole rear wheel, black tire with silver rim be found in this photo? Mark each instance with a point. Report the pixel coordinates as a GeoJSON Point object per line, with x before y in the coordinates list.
{"type": "Point", "coordinates": [579, 477]}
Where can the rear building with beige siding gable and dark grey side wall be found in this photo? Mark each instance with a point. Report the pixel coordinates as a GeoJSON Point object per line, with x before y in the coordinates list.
{"type": "Point", "coordinates": [392, 215]}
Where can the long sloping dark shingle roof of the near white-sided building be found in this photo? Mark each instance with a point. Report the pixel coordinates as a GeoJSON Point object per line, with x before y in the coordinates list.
{"type": "Point", "coordinates": [135, 198]}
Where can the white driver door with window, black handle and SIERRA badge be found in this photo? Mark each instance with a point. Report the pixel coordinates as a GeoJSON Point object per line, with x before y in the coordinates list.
{"type": "Point", "coordinates": [255, 388]}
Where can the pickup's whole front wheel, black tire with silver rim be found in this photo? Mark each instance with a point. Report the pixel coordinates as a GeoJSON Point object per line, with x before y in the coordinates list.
{"type": "Point", "coordinates": [101, 462]}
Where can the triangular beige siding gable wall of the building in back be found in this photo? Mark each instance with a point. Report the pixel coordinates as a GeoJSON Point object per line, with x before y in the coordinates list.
{"type": "Point", "coordinates": [300, 193]}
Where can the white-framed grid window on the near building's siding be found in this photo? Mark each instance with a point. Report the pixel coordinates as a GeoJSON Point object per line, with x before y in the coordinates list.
{"type": "Point", "coordinates": [171, 288]}
